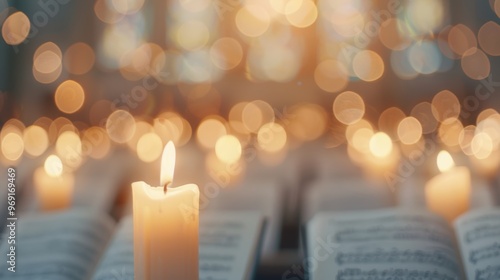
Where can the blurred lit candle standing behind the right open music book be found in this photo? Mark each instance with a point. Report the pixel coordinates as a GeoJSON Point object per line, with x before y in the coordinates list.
{"type": "Point", "coordinates": [448, 193]}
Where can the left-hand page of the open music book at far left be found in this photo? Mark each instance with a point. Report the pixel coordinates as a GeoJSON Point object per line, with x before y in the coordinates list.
{"type": "Point", "coordinates": [62, 245]}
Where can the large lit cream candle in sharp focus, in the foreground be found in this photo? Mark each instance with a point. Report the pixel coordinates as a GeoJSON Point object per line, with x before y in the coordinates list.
{"type": "Point", "coordinates": [166, 226]}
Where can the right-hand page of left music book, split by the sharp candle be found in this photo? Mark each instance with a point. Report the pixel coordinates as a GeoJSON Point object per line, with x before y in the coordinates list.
{"type": "Point", "coordinates": [228, 248]}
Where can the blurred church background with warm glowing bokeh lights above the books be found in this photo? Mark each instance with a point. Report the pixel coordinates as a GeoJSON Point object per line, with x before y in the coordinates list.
{"type": "Point", "coordinates": [288, 90]}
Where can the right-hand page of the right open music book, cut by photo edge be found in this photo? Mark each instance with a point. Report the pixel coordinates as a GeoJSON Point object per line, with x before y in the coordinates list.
{"type": "Point", "coordinates": [479, 240]}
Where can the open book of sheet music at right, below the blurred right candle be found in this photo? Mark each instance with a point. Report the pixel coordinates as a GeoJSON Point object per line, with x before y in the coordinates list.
{"type": "Point", "coordinates": [402, 244]}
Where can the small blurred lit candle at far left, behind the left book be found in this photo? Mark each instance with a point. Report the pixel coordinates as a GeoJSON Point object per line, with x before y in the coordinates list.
{"type": "Point", "coordinates": [54, 188]}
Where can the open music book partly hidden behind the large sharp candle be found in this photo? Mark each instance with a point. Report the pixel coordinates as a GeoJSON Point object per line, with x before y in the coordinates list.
{"type": "Point", "coordinates": [78, 244]}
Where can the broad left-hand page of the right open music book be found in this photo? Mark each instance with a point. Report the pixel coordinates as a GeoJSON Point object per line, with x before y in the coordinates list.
{"type": "Point", "coordinates": [380, 244]}
